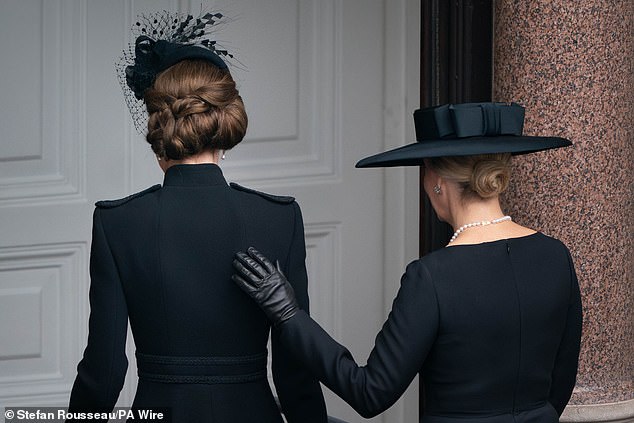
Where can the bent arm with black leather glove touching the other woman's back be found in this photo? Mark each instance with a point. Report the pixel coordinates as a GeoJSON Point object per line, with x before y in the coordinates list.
{"type": "Point", "coordinates": [400, 347]}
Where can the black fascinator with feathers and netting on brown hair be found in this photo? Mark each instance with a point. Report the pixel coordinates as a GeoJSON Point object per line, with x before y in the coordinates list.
{"type": "Point", "coordinates": [163, 39]}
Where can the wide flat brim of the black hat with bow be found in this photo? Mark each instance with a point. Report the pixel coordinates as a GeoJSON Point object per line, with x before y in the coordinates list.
{"type": "Point", "coordinates": [413, 154]}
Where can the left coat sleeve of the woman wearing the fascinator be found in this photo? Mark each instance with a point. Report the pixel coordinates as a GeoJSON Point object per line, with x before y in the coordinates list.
{"type": "Point", "coordinates": [101, 372]}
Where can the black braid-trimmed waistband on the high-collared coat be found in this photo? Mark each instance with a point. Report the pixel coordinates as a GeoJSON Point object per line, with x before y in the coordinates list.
{"type": "Point", "coordinates": [210, 370]}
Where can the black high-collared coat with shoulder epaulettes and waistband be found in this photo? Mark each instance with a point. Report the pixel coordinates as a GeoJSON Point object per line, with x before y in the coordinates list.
{"type": "Point", "coordinates": [162, 258]}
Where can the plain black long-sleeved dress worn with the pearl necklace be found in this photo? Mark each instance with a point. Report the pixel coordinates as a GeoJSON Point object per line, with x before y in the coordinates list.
{"type": "Point", "coordinates": [493, 329]}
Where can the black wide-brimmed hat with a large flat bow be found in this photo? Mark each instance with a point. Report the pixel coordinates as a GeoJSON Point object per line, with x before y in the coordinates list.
{"type": "Point", "coordinates": [463, 130]}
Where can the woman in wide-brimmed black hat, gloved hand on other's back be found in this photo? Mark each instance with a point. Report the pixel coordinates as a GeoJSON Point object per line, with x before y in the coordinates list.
{"type": "Point", "coordinates": [492, 322]}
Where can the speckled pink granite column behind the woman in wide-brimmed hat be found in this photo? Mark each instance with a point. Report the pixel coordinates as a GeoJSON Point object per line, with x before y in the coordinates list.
{"type": "Point", "coordinates": [570, 63]}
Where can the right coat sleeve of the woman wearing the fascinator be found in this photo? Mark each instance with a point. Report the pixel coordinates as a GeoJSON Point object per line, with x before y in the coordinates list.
{"type": "Point", "coordinates": [298, 390]}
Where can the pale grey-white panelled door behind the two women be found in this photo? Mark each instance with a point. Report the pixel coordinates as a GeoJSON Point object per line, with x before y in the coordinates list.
{"type": "Point", "coordinates": [314, 83]}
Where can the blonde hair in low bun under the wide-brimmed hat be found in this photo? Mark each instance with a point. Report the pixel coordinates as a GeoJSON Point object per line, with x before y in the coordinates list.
{"type": "Point", "coordinates": [483, 175]}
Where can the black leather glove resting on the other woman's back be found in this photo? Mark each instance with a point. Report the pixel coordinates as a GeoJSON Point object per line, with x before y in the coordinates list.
{"type": "Point", "coordinates": [266, 284]}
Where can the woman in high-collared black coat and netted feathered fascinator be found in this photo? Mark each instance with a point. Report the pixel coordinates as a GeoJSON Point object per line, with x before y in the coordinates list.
{"type": "Point", "coordinates": [161, 258]}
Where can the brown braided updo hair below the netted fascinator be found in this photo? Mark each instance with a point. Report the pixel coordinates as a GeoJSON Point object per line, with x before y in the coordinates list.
{"type": "Point", "coordinates": [193, 107]}
